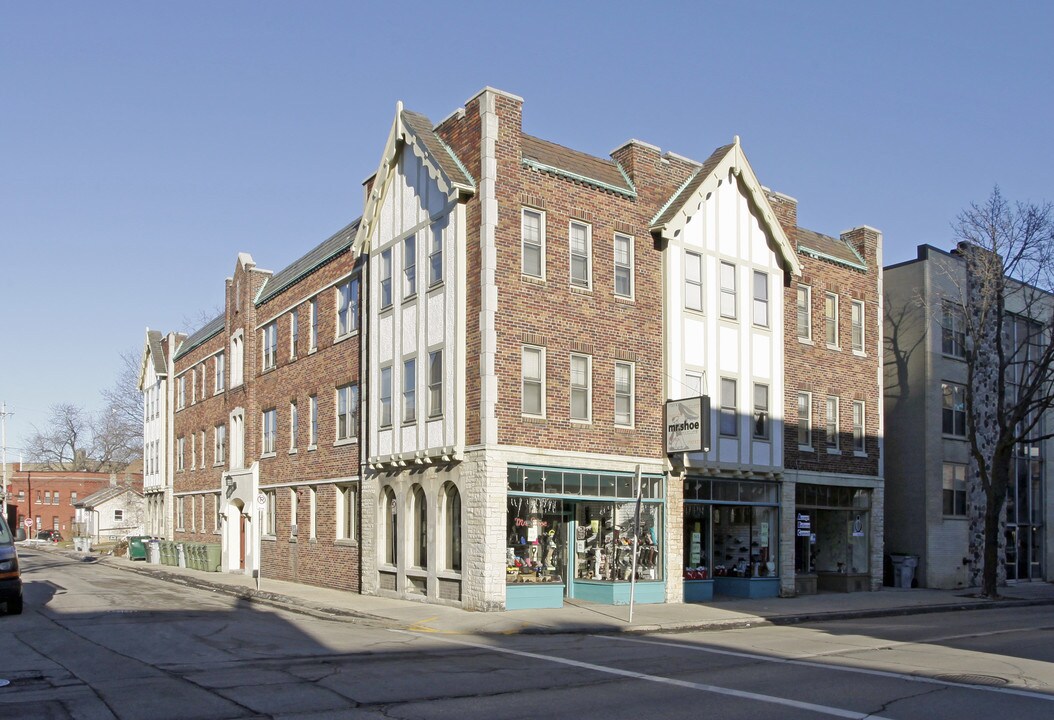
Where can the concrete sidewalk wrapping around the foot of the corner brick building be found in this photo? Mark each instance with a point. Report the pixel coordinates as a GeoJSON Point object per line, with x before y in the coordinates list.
{"type": "Point", "coordinates": [579, 617]}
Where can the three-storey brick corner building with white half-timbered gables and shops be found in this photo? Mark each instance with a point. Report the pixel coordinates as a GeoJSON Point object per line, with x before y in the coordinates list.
{"type": "Point", "coordinates": [528, 310]}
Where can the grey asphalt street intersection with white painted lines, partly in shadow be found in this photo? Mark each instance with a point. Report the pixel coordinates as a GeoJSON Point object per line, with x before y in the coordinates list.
{"type": "Point", "coordinates": [96, 643]}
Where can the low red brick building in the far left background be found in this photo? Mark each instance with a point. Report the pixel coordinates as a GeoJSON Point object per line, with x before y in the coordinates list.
{"type": "Point", "coordinates": [48, 497]}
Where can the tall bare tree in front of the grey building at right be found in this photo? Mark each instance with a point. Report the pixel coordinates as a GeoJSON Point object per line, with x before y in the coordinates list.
{"type": "Point", "coordinates": [1007, 310]}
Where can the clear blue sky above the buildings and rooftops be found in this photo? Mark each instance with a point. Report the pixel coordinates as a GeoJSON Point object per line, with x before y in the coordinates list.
{"type": "Point", "coordinates": [144, 145]}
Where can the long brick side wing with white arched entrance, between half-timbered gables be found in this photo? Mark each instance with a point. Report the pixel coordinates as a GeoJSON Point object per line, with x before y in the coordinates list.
{"type": "Point", "coordinates": [267, 407]}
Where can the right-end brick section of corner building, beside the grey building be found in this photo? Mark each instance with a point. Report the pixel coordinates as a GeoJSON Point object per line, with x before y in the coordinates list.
{"type": "Point", "coordinates": [834, 494]}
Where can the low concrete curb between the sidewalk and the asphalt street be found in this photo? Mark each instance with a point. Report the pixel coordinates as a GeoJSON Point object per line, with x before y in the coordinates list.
{"type": "Point", "coordinates": [288, 604]}
